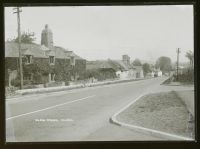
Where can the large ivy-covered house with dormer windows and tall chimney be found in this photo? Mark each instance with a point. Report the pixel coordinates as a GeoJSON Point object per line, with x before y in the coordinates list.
{"type": "Point", "coordinates": [42, 64]}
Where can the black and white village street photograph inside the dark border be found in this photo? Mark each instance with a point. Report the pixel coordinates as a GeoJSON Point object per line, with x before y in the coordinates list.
{"type": "Point", "coordinates": [99, 73]}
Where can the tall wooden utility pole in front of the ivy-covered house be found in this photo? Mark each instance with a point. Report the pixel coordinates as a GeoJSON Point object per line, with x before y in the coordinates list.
{"type": "Point", "coordinates": [18, 10]}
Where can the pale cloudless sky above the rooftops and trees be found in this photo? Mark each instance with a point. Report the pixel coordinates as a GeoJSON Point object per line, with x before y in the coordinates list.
{"type": "Point", "coordinates": [102, 32]}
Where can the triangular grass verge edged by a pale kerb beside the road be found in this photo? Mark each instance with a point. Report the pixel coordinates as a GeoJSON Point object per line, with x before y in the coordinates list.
{"type": "Point", "coordinates": [159, 111]}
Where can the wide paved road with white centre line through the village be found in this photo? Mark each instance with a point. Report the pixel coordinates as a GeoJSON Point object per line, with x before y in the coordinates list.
{"type": "Point", "coordinates": [76, 115]}
